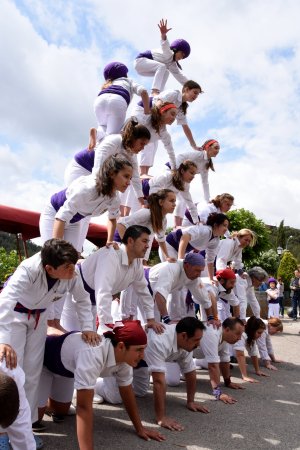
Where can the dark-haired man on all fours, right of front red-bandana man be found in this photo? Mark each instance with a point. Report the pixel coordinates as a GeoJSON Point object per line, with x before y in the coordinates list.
{"type": "Point", "coordinates": [176, 344]}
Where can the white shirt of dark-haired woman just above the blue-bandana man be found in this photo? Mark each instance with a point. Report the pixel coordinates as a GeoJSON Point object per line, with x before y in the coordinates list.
{"type": "Point", "coordinates": [202, 239]}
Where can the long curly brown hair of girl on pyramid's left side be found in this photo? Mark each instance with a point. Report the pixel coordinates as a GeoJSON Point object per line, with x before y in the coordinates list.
{"type": "Point", "coordinates": [112, 165]}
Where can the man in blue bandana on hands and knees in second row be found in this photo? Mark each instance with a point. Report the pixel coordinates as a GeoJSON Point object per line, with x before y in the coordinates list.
{"type": "Point", "coordinates": [166, 278]}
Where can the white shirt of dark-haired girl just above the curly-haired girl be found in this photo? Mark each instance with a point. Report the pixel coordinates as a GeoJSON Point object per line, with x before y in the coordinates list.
{"type": "Point", "coordinates": [112, 145]}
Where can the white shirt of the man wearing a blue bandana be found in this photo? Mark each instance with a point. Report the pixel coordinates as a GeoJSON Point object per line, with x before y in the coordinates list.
{"type": "Point", "coordinates": [167, 277]}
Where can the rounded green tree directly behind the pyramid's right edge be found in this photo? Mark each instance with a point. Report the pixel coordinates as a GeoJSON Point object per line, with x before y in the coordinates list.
{"type": "Point", "coordinates": [241, 218]}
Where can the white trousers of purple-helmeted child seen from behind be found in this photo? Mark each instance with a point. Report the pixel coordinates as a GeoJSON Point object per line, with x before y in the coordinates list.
{"type": "Point", "coordinates": [110, 110]}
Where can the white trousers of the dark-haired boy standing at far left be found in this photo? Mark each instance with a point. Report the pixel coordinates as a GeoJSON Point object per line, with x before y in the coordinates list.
{"type": "Point", "coordinates": [29, 344]}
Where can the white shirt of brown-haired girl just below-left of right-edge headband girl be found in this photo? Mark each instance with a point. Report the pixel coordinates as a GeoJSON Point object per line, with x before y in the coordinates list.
{"type": "Point", "coordinates": [165, 182]}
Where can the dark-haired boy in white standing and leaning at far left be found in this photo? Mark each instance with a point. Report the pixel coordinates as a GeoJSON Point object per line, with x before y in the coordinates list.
{"type": "Point", "coordinates": [38, 281]}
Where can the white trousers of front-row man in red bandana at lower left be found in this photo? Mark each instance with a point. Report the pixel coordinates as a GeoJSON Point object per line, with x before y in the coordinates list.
{"type": "Point", "coordinates": [54, 386]}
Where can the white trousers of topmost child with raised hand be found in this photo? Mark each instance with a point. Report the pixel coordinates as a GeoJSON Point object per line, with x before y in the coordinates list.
{"type": "Point", "coordinates": [150, 68]}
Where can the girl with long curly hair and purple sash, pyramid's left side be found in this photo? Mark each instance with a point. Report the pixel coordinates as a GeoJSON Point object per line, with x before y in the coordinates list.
{"type": "Point", "coordinates": [87, 196]}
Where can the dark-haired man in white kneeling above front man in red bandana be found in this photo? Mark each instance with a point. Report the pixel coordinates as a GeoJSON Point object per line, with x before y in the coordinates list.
{"type": "Point", "coordinates": [108, 272]}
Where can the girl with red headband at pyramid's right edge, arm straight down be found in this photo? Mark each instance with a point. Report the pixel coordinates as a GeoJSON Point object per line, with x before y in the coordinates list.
{"type": "Point", "coordinates": [203, 160]}
